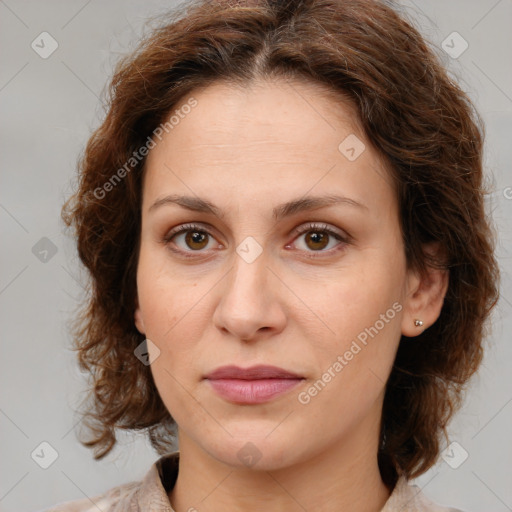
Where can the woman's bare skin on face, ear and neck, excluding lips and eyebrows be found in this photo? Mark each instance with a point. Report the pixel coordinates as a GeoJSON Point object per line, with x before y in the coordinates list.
{"type": "Point", "coordinates": [247, 151]}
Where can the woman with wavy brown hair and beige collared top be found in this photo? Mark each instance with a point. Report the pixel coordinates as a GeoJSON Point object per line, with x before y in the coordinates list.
{"type": "Point", "coordinates": [282, 216]}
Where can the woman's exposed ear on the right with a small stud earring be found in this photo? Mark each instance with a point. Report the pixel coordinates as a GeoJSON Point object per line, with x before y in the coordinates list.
{"type": "Point", "coordinates": [425, 296]}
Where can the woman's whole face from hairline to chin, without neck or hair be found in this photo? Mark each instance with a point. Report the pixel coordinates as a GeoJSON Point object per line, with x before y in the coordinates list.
{"type": "Point", "coordinates": [232, 276]}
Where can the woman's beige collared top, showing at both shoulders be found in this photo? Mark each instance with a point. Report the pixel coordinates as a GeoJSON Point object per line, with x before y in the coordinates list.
{"type": "Point", "coordinates": [150, 494]}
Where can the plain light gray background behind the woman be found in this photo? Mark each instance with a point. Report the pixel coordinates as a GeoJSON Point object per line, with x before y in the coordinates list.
{"type": "Point", "coordinates": [48, 108]}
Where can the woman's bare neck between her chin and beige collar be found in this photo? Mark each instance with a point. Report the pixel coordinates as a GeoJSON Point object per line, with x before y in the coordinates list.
{"type": "Point", "coordinates": [345, 477]}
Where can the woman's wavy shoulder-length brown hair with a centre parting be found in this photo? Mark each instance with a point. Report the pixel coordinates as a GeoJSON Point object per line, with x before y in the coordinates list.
{"type": "Point", "coordinates": [415, 115]}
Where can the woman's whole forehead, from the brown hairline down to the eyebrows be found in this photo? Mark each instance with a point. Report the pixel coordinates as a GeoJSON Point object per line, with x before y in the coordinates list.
{"type": "Point", "coordinates": [268, 138]}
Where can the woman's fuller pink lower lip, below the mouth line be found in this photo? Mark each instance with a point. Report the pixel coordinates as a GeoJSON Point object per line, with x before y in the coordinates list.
{"type": "Point", "coordinates": [252, 391]}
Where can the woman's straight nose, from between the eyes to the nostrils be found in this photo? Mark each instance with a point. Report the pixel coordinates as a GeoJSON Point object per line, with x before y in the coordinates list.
{"type": "Point", "coordinates": [250, 306]}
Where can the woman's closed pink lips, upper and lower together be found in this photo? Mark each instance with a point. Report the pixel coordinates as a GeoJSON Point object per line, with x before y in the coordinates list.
{"type": "Point", "coordinates": [254, 385]}
